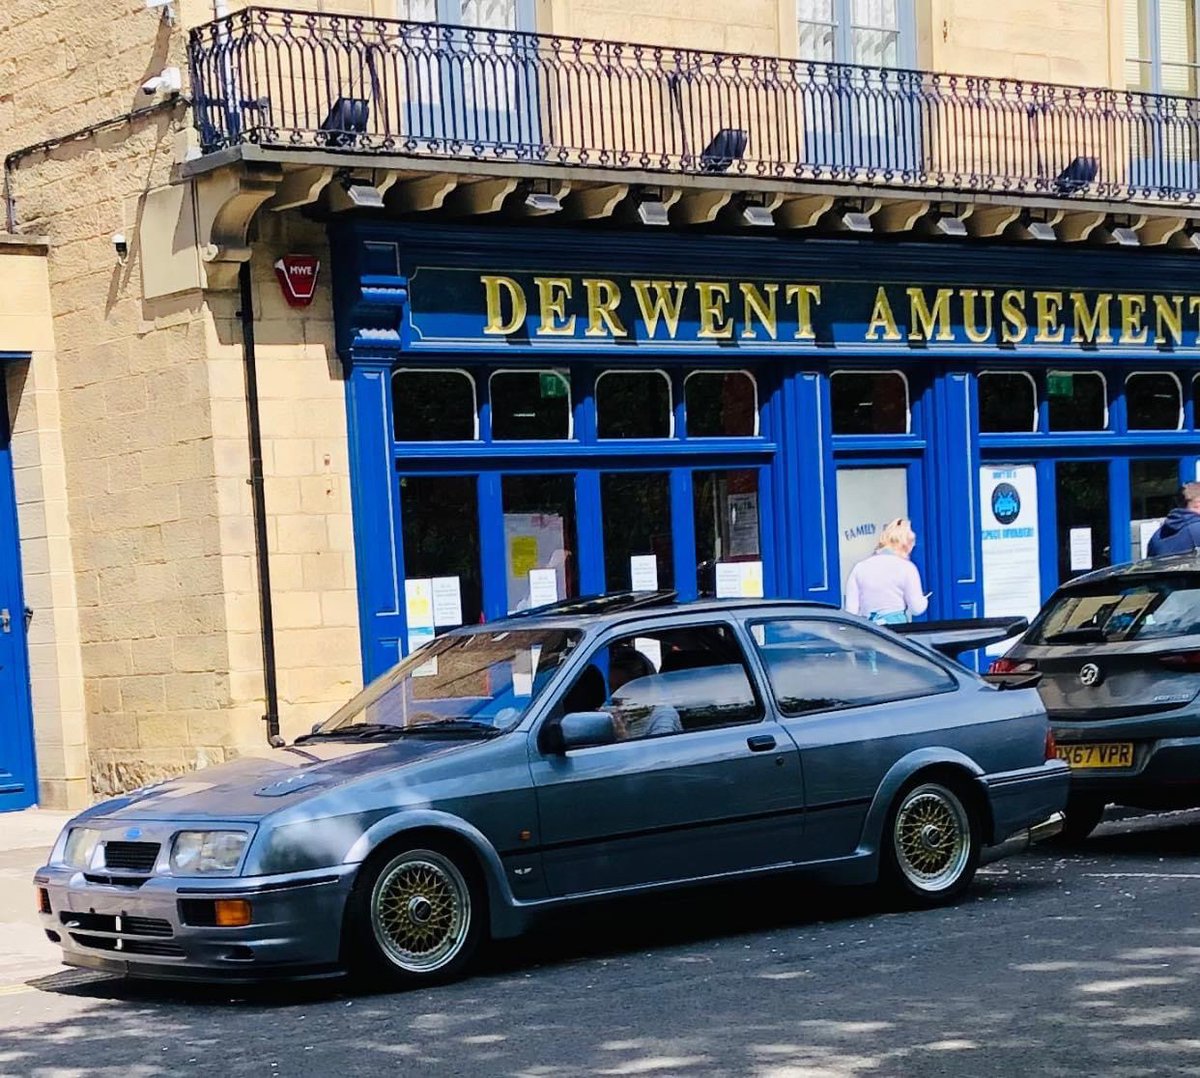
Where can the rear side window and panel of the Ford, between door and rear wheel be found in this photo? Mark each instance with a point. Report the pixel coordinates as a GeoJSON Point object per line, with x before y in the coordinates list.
{"type": "Point", "coordinates": [855, 700]}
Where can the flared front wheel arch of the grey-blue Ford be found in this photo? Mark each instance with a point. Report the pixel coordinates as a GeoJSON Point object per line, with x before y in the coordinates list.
{"type": "Point", "coordinates": [409, 828]}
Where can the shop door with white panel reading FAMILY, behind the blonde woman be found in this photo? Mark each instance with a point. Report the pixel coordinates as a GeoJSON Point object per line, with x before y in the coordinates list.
{"type": "Point", "coordinates": [868, 499]}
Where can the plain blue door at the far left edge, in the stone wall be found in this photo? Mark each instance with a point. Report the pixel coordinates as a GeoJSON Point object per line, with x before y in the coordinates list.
{"type": "Point", "coordinates": [19, 786]}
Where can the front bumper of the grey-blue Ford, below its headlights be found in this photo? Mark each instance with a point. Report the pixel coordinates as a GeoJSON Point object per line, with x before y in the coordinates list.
{"type": "Point", "coordinates": [153, 931]}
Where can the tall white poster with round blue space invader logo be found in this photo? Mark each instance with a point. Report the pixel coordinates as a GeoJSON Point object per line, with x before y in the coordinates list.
{"type": "Point", "coordinates": [1009, 510]}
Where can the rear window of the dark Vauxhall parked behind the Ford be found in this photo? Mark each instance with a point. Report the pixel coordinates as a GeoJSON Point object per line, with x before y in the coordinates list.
{"type": "Point", "coordinates": [1143, 609]}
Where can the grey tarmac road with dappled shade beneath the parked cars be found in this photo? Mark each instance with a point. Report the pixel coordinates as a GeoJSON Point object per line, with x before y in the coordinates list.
{"type": "Point", "coordinates": [1081, 963]}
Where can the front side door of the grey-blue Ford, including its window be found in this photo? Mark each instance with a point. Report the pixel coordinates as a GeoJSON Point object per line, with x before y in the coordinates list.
{"type": "Point", "coordinates": [700, 783]}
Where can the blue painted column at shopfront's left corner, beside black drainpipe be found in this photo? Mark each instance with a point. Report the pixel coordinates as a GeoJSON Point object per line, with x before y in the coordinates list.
{"type": "Point", "coordinates": [375, 496]}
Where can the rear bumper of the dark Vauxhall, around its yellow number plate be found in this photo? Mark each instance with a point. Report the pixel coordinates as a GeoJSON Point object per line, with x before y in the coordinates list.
{"type": "Point", "coordinates": [1166, 772]}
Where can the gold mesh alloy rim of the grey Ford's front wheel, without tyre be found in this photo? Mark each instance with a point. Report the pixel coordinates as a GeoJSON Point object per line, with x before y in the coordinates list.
{"type": "Point", "coordinates": [421, 912]}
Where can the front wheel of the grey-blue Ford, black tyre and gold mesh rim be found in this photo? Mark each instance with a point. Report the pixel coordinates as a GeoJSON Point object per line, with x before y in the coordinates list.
{"type": "Point", "coordinates": [416, 918]}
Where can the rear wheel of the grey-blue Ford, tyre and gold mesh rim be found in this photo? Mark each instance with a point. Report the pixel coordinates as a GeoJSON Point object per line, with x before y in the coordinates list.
{"type": "Point", "coordinates": [932, 846]}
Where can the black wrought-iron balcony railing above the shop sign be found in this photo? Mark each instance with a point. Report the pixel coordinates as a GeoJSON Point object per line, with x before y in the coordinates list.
{"type": "Point", "coordinates": [370, 87]}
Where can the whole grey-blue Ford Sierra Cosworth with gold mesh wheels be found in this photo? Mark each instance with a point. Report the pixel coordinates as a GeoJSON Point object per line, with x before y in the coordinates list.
{"type": "Point", "coordinates": [591, 750]}
